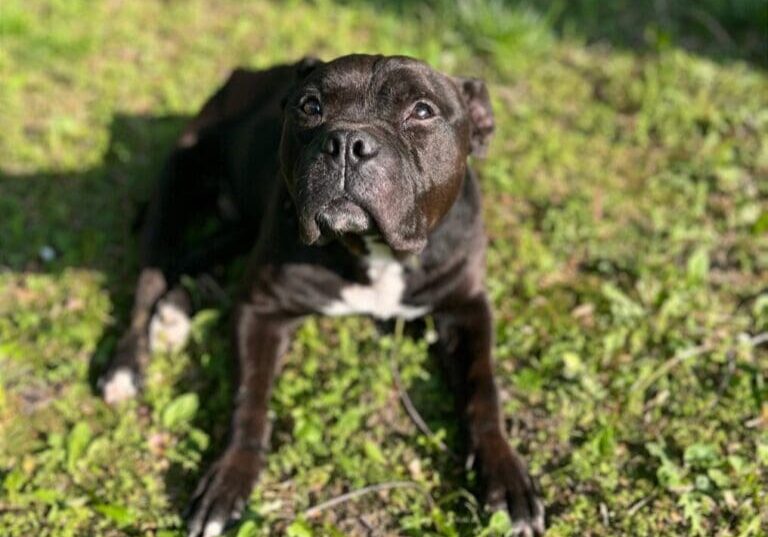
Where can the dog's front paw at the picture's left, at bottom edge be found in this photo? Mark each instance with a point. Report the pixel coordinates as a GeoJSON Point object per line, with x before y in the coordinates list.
{"type": "Point", "coordinates": [222, 493]}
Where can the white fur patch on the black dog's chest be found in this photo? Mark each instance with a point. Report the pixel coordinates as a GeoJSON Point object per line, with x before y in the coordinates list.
{"type": "Point", "coordinates": [382, 298]}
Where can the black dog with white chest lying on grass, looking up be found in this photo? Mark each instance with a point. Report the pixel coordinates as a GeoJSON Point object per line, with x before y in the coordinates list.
{"type": "Point", "coordinates": [348, 183]}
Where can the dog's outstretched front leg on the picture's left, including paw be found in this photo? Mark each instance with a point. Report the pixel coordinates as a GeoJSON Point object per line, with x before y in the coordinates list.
{"type": "Point", "coordinates": [261, 339]}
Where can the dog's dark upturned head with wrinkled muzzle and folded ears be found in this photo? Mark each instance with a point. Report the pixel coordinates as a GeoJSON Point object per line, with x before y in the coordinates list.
{"type": "Point", "coordinates": [379, 145]}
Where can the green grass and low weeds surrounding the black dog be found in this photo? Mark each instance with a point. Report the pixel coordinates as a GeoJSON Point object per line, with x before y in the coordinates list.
{"type": "Point", "coordinates": [627, 204]}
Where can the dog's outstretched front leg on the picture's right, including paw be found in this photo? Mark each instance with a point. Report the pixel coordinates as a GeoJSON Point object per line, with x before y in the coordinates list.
{"type": "Point", "coordinates": [464, 346]}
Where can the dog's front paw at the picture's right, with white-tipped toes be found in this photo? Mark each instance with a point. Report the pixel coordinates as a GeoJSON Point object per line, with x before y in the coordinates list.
{"type": "Point", "coordinates": [508, 486]}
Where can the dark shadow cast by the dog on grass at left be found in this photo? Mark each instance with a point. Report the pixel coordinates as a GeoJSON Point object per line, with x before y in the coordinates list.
{"type": "Point", "coordinates": [55, 222]}
